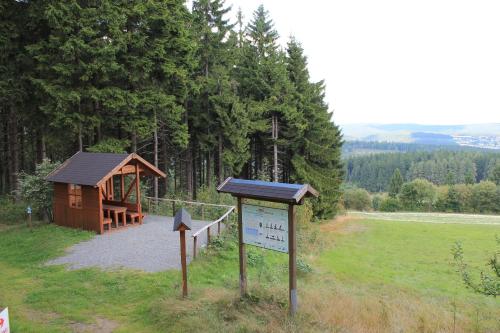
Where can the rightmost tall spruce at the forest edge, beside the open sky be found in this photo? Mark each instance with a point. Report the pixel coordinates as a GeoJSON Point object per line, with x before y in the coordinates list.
{"type": "Point", "coordinates": [315, 153]}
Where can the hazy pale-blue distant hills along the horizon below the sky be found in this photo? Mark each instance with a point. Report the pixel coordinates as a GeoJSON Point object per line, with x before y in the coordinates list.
{"type": "Point", "coordinates": [475, 135]}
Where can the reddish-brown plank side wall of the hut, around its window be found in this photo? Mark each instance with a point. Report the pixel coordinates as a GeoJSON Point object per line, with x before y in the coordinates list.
{"type": "Point", "coordinates": [86, 218]}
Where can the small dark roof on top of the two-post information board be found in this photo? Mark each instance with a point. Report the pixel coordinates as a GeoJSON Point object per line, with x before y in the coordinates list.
{"type": "Point", "coordinates": [257, 189]}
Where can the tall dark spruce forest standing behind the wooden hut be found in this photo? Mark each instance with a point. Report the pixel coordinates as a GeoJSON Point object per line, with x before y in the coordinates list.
{"type": "Point", "coordinates": [200, 96]}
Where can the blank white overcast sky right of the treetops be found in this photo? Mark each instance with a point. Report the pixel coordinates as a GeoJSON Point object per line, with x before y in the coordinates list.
{"type": "Point", "coordinates": [397, 61]}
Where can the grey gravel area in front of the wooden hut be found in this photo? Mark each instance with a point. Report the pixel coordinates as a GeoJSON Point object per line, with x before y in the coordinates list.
{"type": "Point", "coordinates": [151, 247]}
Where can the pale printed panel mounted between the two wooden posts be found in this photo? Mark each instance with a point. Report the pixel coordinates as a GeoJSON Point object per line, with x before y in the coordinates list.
{"type": "Point", "coordinates": [265, 227]}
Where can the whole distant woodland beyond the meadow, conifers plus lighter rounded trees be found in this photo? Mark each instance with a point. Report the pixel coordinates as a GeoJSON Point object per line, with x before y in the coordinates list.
{"type": "Point", "coordinates": [459, 180]}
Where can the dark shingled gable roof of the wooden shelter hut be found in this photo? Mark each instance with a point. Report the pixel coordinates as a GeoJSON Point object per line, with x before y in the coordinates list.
{"type": "Point", "coordinates": [94, 168]}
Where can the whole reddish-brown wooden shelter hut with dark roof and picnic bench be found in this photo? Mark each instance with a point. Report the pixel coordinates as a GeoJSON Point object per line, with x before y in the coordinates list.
{"type": "Point", "coordinates": [85, 194]}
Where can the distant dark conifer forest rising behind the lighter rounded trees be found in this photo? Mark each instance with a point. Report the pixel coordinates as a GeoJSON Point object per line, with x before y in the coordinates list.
{"type": "Point", "coordinates": [373, 172]}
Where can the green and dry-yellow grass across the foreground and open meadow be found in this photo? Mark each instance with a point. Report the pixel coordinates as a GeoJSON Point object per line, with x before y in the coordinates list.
{"type": "Point", "coordinates": [368, 275]}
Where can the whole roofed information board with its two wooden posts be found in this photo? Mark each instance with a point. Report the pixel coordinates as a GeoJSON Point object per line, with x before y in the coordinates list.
{"type": "Point", "coordinates": [269, 228]}
